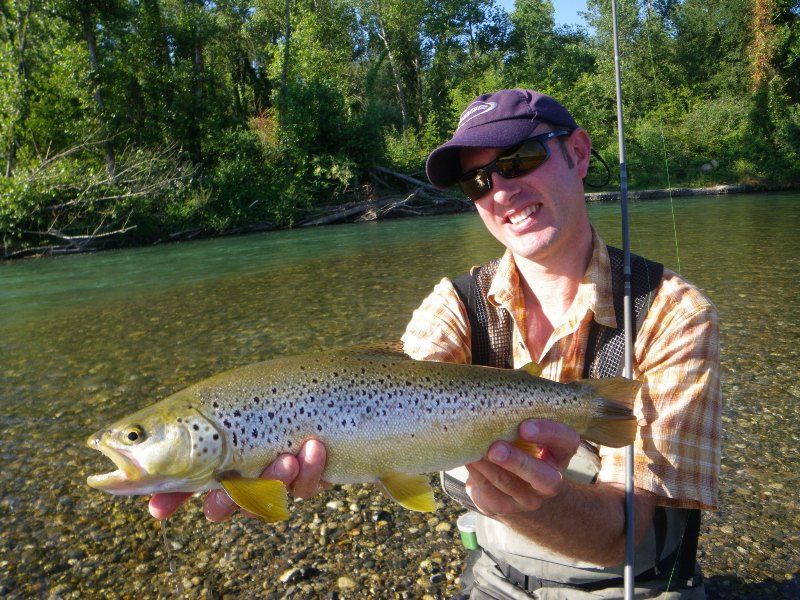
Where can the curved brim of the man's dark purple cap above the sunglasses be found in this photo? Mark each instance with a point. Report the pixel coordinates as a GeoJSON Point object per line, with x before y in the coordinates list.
{"type": "Point", "coordinates": [443, 166]}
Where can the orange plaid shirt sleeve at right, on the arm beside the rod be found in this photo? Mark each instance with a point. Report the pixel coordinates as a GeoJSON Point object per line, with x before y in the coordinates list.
{"type": "Point", "coordinates": [677, 449]}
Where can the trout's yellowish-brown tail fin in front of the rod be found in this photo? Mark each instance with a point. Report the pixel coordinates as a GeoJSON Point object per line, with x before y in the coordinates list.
{"type": "Point", "coordinates": [612, 422]}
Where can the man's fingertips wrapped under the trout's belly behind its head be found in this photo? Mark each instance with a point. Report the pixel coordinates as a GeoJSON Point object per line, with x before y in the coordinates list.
{"type": "Point", "coordinates": [302, 474]}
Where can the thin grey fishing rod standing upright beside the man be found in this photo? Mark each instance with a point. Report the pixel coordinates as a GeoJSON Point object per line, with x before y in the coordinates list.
{"type": "Point", "coordinates": [627, 311]}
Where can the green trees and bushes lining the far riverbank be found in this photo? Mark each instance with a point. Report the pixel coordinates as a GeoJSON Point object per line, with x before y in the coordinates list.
{"type": "Point", "coordinates": [91, 93]}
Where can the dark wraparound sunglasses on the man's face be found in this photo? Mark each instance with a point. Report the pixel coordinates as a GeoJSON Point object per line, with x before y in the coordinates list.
{"type": "Point", "coordinates": [514, 162]}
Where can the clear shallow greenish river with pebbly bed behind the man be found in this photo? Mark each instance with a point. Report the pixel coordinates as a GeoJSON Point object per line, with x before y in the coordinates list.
{"type": "Point", "coordinates": [87, 338]}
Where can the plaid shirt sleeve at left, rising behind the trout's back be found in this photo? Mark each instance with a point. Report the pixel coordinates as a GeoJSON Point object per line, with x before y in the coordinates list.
{"type": "Point", "coordinates": [439, 328]}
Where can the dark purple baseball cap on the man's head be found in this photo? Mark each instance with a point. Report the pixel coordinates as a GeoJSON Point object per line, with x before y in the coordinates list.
{"type": "Point", "coordinates": [497, 120]}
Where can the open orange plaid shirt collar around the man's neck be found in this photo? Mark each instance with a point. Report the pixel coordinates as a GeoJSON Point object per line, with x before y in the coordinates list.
{"type": "Point", "coordinates": [594, 292]}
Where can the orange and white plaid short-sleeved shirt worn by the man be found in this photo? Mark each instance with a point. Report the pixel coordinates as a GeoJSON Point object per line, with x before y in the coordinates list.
{"type": "Point", "coordinates": [676, 355]}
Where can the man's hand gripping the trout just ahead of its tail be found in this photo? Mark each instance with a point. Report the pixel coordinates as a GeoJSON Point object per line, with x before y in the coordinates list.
{"type": "Point", "coordinates": [509, 480]}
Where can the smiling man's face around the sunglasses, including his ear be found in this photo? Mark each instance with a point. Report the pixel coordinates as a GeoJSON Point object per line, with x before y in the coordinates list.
{"type": "Point", "coordinates": [542, 213]}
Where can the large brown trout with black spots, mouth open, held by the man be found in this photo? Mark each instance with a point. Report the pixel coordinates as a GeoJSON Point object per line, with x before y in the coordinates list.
{"type": "Point", "coordinates": [382, 417]}
